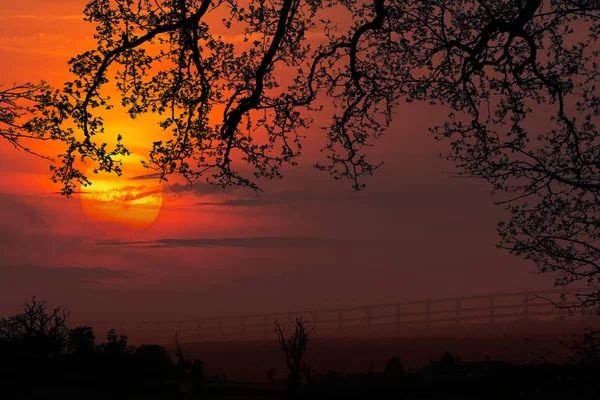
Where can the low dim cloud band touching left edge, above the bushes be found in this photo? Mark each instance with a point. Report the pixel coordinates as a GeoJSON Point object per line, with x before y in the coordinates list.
{"type": "Point", "coordinates": [60, 275]}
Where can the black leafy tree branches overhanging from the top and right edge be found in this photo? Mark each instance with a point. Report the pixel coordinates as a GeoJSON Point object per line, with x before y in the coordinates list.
{"type": "Point", "coordinates": [241, 84]}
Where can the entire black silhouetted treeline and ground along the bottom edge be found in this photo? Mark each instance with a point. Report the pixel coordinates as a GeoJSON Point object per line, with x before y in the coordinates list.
{"type": "Point", "coordinates": [41, 357]}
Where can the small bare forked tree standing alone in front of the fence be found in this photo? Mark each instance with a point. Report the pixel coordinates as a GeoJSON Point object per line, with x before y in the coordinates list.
{"type": "Point", "coordinates": [293, 348]}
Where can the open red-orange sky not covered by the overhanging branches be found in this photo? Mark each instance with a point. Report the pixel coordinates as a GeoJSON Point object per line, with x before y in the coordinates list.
{"type": "Point", "coordinates": [307, 242]}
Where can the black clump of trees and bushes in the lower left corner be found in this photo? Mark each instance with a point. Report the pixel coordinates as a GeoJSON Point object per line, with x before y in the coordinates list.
{"type": "Point", "coordinates": [40, 353]}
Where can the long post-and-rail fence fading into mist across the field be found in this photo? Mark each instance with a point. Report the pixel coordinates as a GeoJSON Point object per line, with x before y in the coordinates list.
{"type": "Point", "coordinates": [393, 318]}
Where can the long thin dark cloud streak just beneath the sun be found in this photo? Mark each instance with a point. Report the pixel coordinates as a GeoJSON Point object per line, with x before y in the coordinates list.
{"type": "Point", "coordinates": [273, 242]}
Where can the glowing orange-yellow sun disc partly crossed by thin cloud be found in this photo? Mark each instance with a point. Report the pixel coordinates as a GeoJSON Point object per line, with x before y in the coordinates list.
{"type": "Point", "coordinates": [118, 206]}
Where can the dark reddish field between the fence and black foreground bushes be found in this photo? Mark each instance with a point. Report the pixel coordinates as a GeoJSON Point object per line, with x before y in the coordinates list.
{"type": "Point", "coordinates": [250, 361]}
